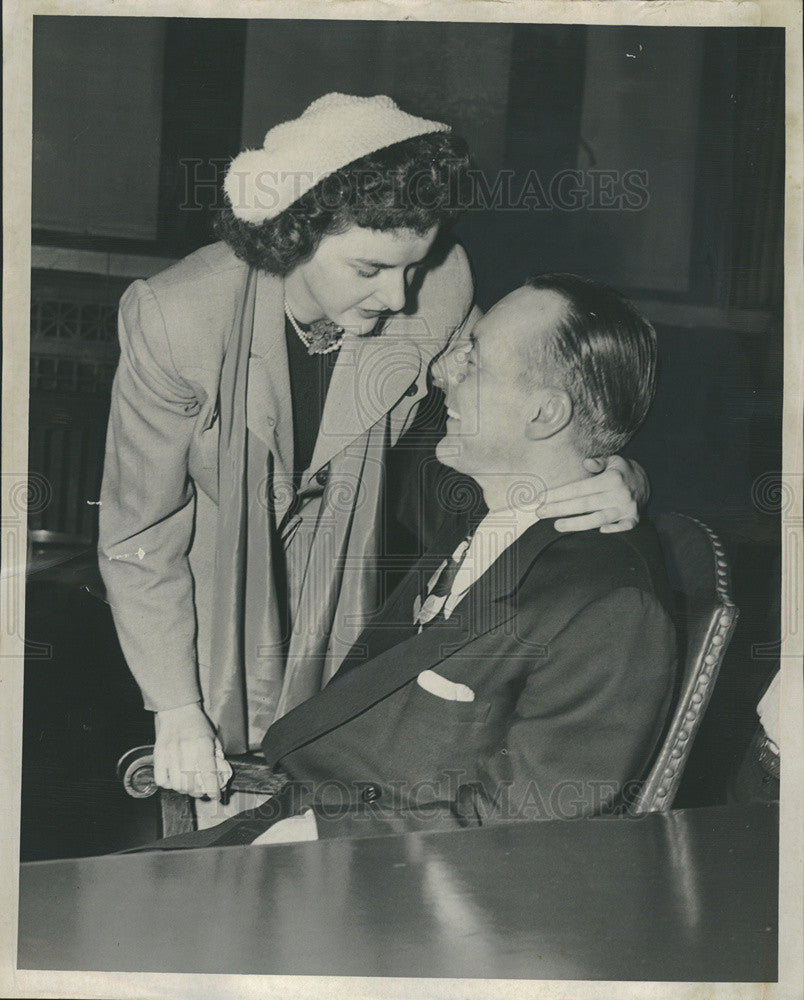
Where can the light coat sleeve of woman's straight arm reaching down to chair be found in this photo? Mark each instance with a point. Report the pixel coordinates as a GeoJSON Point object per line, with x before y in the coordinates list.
{"type": "Point", "coordinates": [147, 508]}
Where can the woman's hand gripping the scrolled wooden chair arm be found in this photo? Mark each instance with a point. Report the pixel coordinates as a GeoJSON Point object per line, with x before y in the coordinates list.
{"type": "Point", "coordinates": [188, 757]}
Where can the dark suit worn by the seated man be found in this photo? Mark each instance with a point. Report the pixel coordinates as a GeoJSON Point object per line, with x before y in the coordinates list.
{"type": "Point", "coordinates": [566, 642]}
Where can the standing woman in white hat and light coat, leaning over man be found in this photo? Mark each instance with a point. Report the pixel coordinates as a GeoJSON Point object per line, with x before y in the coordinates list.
{"type": "Point", "coordinates": [261, 381]}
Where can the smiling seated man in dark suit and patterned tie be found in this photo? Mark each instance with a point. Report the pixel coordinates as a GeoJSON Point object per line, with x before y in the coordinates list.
{"type": "Point", "coordinates": [528, 675]}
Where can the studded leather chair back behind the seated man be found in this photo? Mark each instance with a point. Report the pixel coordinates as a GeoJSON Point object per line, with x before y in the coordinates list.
{"type": "Point", "coordinates": [705, 620]}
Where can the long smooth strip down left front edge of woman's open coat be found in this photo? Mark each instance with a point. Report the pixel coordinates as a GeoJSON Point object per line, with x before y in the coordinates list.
{"type": "Point", "coordinates": [254, 384]}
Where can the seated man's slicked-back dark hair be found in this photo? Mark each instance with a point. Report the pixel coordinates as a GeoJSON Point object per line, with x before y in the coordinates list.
{"type": "Point", "coordinates": [603, 354]}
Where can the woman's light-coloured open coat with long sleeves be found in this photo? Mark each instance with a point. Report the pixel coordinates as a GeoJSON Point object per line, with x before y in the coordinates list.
{"type": "Point", "coordinates": [198, 482]}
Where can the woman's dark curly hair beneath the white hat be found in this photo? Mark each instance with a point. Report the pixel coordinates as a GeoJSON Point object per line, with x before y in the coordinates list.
{"type": "Point", "coordinates": [415, 184]}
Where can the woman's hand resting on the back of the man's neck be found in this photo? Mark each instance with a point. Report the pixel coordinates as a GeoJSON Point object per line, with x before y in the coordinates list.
{"type": "Point", "coordinates": [607, 500]}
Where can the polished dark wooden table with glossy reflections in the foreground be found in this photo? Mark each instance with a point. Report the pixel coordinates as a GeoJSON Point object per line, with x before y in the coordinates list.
{"type": "Point", "coordinates": [690, 895]}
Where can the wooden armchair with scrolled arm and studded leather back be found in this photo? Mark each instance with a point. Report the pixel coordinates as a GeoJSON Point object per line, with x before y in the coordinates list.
{"type": "Point", "coordinates": [705, 620]}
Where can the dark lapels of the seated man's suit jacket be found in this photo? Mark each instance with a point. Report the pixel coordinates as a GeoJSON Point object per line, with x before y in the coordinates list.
{"type": "Point", "coordinates": [490, 602]}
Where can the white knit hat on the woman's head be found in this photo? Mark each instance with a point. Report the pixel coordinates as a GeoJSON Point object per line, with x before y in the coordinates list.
{"type": "Point", "coordinates": [333, 132]}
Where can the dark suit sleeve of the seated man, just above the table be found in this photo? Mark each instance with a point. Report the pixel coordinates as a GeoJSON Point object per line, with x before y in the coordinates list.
{"type": "Point", "coordinates": [584, 727]}
